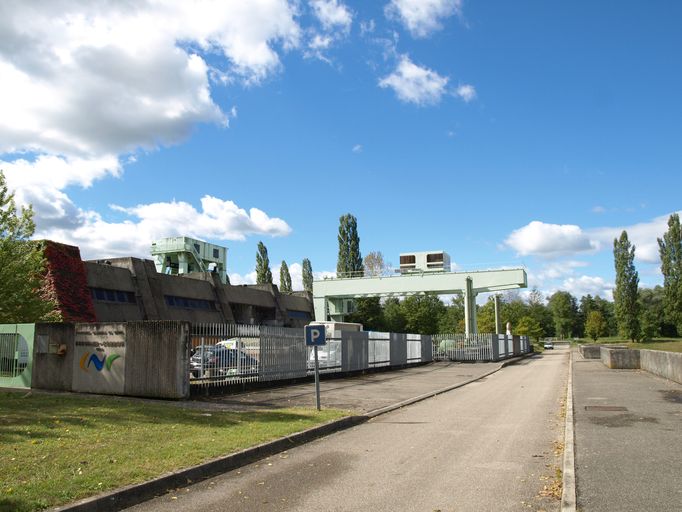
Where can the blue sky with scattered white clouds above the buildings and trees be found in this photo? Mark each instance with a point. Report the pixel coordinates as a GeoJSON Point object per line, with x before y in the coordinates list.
{"type": "Point", "coordinates": [506, 133]}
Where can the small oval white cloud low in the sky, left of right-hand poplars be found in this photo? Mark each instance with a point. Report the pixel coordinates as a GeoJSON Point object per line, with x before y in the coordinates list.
{"type": "Point", "coordinates": [549, 240]}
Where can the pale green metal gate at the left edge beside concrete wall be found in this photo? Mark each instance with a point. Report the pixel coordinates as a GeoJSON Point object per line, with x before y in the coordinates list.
{"type": "Point", "coordinates": [16, 355]}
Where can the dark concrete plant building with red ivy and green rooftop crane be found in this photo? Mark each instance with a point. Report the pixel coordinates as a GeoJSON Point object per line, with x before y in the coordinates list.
{"type": "Point", "coordinates": [190, 285]}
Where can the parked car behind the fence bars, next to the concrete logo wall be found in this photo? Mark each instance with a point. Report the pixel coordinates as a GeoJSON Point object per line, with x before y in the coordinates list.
{"type": "Point", "coordinates": [217, 361]}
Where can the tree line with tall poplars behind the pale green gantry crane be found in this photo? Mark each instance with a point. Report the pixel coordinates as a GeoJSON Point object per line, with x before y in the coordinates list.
{"type": "Point", "coordinates": [635, 313]}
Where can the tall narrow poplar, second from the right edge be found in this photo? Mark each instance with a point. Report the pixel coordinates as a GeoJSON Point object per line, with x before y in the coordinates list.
{"type": "Point", "coordinates": [625, 294]}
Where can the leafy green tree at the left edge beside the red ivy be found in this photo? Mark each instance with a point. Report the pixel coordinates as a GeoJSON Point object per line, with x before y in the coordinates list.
{"type": "Point", "coordinates": [23, 298]}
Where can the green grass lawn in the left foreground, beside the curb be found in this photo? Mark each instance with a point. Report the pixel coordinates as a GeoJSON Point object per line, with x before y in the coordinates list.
{"type": "Point", "coordinates": [58, 448]}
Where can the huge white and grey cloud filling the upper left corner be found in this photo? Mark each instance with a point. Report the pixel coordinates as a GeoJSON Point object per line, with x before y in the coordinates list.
{"type": "Point", "coordinates": [93, 78]}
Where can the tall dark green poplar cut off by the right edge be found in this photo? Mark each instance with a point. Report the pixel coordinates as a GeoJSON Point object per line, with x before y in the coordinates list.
{"type": "Point", "coordinates": [670, 250]}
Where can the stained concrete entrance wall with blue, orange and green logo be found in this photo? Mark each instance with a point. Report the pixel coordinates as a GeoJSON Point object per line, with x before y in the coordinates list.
{"type": "Point", "coordinates": [148, 359]}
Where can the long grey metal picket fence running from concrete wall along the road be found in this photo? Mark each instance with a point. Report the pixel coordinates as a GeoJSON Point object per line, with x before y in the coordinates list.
{"type": "Point", "coordinates": [225, 355]}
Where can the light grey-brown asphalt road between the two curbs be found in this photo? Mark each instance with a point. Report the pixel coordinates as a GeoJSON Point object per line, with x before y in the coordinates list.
{"type": "Point", "coordinates": [490, 445]}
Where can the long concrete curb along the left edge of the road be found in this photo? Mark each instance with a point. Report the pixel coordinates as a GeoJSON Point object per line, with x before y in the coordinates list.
{"type": "Point", "coordinates": [137, 493]}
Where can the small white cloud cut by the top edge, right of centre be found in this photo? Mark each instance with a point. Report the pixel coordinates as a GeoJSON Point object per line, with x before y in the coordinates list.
{"type": "Point", "coordinates": [422, 17]}
